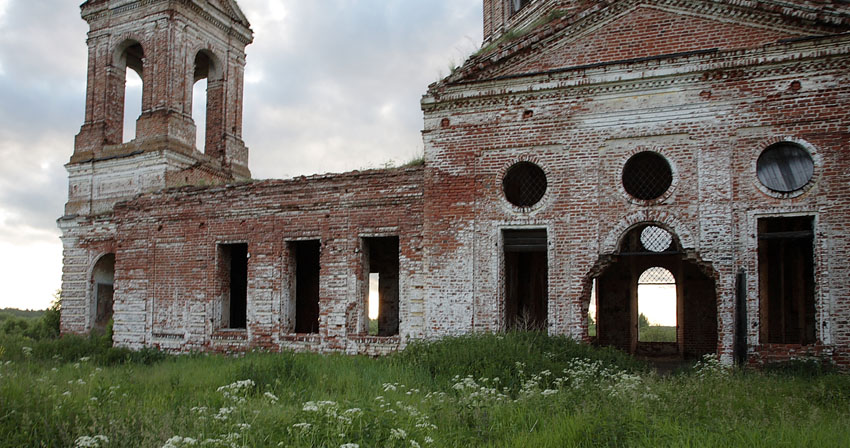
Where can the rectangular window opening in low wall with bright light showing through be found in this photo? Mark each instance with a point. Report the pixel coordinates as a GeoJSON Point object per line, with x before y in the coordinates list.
{"type": "Point", "coordinates": [382, 258]}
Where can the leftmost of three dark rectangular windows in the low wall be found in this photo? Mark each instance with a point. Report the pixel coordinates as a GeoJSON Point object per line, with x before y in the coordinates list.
{"type": "Point", "coordinates": [233, 272]}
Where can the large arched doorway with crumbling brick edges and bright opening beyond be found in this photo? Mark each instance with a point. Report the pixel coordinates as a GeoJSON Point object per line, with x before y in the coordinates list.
{"type": "Point", "coordinates": [648, 267]}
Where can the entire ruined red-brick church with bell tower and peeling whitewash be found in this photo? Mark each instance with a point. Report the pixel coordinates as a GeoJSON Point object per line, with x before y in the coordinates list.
{"type": "Point", "coordinates": [590, 147]}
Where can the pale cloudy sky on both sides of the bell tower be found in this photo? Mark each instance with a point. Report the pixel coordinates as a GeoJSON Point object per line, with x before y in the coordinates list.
{"type": "Point", "coordinates": [331, 86]}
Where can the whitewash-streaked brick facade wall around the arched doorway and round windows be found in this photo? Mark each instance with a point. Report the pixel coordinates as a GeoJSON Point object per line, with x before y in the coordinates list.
{"type": "Point", "coordinates": [709, 114]}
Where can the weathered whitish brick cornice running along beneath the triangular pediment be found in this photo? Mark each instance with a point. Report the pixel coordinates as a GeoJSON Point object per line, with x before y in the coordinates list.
{"type": "Point", "coordinates": [830, 53]}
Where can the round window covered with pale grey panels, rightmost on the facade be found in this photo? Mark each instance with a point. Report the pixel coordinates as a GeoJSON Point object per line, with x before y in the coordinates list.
{"type": "Point", "coordinates": [785, 167]}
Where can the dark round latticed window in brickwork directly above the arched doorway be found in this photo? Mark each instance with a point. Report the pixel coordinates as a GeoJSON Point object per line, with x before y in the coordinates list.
{"type": "Point", "coordinates": [647, 175]}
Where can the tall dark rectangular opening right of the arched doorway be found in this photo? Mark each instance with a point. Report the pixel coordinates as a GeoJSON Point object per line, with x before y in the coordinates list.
{"type": "Point", "coordinates": [786, 280]}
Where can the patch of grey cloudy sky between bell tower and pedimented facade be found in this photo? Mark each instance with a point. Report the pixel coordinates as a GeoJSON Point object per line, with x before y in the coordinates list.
{"type": "Point", "coordinates": [375, 54]}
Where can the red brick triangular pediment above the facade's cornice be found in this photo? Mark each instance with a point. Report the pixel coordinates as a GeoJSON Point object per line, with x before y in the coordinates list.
{"type": "Point", "coordinates": [639, 29]}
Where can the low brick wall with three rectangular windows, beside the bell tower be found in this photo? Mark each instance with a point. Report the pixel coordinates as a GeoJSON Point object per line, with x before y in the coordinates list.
{"type": "Point", "coordinates": [167, 252]}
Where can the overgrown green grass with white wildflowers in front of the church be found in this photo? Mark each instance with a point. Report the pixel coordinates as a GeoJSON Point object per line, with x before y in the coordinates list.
{"type": "Point", "coordinates": [517, 389]}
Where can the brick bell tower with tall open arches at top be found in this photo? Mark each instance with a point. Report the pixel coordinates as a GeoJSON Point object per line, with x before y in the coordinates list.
{"type": "Point", "coordinates": [171, 45]}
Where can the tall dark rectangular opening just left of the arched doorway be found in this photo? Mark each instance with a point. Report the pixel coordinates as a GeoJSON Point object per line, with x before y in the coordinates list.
{"type": "Point", "coordinates": [526, 279]}
